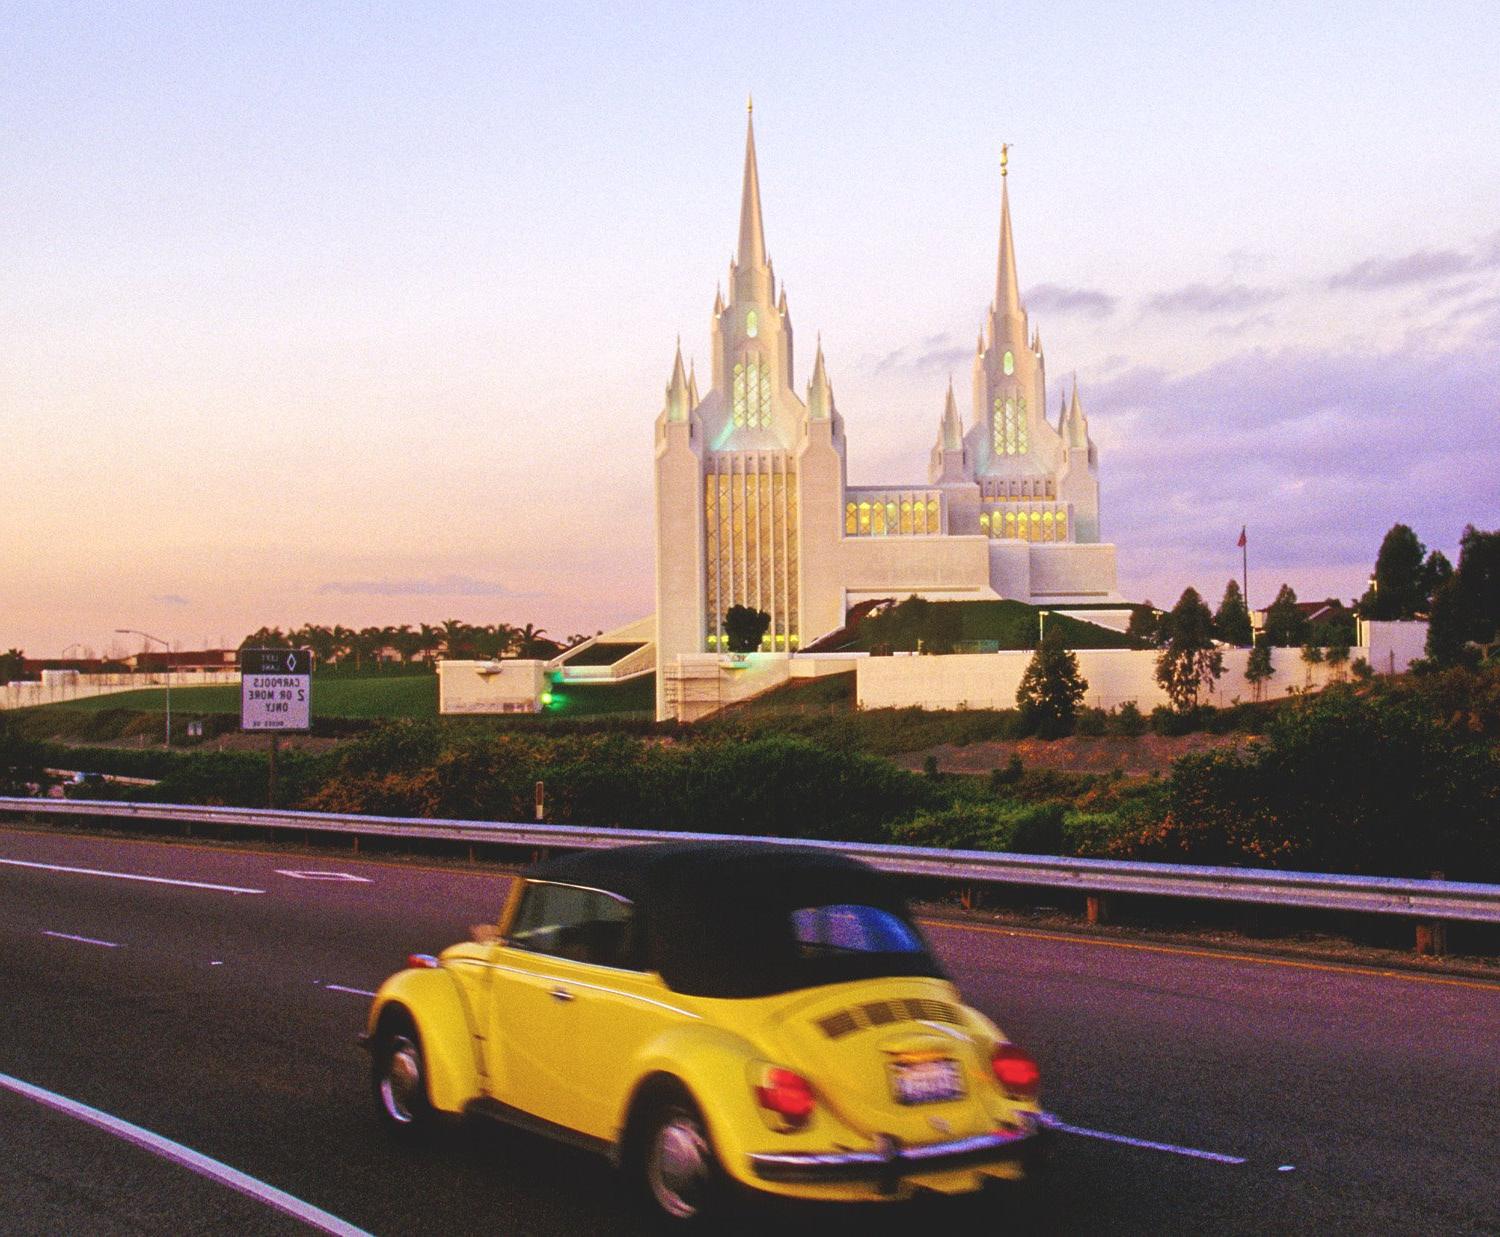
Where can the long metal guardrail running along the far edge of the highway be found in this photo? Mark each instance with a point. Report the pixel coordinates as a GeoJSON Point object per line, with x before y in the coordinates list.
{"type": "Point", "coordinates": [1316, 891]}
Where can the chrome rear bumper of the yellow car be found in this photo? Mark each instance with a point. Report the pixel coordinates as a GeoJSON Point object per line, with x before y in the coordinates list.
{"type": "Point", "coordinates": [890, 1161]}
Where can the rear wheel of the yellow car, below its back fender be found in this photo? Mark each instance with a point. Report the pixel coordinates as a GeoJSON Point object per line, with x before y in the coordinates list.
{"type": "Point", "coordinates": [677, 1175]}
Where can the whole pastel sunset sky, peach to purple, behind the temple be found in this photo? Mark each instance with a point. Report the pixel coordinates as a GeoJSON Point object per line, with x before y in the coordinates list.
{"type": "Point", "coordinates": [362, 314]}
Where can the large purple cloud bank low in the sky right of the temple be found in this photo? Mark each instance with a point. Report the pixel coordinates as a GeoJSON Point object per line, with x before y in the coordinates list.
{"type": "Point", "coordinates": [1318, 451]}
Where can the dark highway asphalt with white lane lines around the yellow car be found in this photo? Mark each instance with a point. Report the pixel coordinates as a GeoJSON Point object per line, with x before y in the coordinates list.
{"type": "Point", "coordinates": [1282, 1097]}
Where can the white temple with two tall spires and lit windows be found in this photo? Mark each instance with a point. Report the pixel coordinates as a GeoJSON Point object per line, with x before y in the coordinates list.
{"type": "Point", "coordinates": [754, 506]}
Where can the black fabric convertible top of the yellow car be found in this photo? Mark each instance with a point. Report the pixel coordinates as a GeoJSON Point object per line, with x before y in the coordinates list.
{"type": "Point", "coordinates": [715, 918]}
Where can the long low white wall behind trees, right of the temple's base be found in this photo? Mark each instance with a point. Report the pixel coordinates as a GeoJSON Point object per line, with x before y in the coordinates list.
{"type": "Point", "coordinates": [989, 680]}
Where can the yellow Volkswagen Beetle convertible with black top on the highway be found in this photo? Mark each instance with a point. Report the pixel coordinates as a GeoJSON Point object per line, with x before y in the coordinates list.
{"type": "Point", "coordinates": [713, 1017]}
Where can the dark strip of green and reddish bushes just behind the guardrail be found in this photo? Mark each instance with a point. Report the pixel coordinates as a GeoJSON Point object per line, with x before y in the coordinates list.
{"type": "Point", "coordinates": [1382, 779]}
